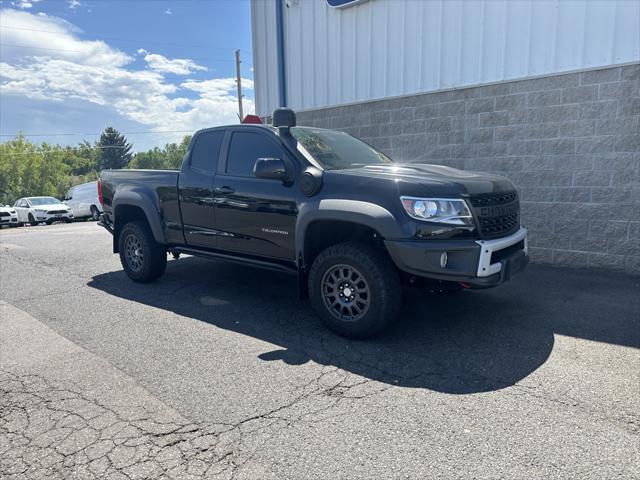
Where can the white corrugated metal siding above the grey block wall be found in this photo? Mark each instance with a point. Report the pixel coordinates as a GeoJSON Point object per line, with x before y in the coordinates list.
{"type": "Point", "coordinates": [382, 48]}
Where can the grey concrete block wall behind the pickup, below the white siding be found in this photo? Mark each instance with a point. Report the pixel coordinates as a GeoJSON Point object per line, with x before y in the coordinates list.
{"type": "Point", "coordinates": [570, 143]}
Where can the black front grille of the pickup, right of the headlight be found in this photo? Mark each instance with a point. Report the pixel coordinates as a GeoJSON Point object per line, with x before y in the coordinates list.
{"type": "Point", "coordinates": [497, 214]}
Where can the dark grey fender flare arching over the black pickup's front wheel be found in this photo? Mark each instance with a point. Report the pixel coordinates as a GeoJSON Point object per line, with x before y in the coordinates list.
{"type": "Point", "coordinates": [362, 213]}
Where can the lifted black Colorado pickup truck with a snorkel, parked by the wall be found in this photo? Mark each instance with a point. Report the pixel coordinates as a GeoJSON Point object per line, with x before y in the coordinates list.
{"type": "Point", "coordinates": [351, 224]}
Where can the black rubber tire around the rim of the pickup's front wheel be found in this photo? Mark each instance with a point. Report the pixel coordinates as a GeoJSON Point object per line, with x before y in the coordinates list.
{"type": "Point", "coordinates": [381, 279]}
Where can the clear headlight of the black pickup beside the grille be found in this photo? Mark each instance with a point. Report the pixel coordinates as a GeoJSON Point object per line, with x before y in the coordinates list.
{"type": "Point", "coordinates": [451, 211]}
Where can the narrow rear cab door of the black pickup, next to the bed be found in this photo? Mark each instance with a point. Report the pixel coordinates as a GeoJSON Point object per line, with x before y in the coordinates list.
{"type": "Point", "coordinates": [195, 186]}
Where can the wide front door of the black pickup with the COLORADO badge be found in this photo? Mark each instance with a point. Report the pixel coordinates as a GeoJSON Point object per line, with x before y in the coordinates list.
{"type": "Point", "coordinates": [255, 216]}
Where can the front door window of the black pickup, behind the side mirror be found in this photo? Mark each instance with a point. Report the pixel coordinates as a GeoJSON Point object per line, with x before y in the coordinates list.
{"type": "Point", "coordinates": [246, 148]}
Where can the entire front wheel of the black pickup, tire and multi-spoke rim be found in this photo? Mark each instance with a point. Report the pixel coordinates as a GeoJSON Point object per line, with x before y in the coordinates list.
{"type": "Point", "coordinates": [355, 289]}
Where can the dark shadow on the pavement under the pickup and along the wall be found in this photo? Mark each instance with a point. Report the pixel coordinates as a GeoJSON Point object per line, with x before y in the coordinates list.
{"type": "Point", "coordinates": [467, 342]}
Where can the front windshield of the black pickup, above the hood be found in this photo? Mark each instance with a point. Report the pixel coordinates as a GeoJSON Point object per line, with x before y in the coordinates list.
{"type": "Point", "coordinates": [337, 150]}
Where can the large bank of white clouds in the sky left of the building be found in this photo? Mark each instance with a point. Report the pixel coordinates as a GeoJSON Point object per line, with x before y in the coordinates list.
{"type": "Point", "coordinates": [97, 73]}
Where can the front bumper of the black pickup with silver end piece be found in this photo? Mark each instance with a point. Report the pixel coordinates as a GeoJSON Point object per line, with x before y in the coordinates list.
{"type": "Point", "coordinates": [478, 263]}
